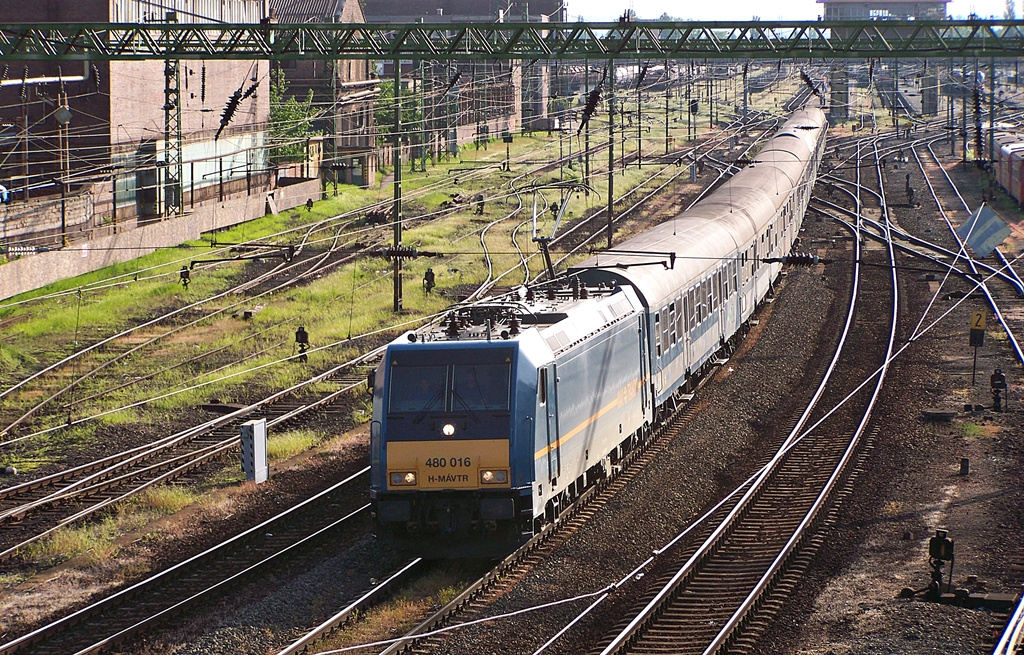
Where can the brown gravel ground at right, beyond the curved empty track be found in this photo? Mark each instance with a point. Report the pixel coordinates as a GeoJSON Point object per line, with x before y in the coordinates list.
{"type": "Point", "coordinates": [849, 604]}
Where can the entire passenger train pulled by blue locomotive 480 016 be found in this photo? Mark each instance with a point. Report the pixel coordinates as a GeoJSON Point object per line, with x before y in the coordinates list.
{"type": "Point", "coordinates": [488, 426]}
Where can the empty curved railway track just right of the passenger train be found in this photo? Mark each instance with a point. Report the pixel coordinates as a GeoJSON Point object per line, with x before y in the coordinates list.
{"type": "Point", "coordinates": [750, 557]}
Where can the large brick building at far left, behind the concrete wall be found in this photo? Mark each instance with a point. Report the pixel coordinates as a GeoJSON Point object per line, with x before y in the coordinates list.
{"type": "Point", "coordinates": [101, 129]}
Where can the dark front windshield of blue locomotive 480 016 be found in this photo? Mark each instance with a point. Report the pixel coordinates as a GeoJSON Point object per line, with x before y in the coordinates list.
{"type": "Point", "coordinates": [452, 388]}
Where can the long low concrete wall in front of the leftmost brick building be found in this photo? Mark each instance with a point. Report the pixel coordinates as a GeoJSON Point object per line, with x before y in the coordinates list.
{"type": "Point", "coordinates": [33, 272]}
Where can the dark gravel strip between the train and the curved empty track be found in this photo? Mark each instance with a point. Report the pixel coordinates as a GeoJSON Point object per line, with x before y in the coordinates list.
{"type": "Point", "coordinates": [715, 451]}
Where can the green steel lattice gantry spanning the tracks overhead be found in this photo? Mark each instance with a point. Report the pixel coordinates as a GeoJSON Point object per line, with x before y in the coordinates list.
{"type": "Point", "coordinates": [656, 40]}
